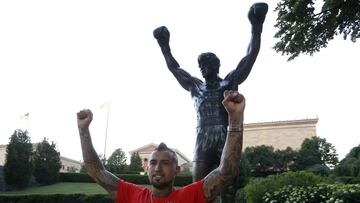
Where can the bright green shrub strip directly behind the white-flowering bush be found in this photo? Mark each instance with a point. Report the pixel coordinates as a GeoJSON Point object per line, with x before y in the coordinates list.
{"type": "Point", "coordinates": [257, 188]}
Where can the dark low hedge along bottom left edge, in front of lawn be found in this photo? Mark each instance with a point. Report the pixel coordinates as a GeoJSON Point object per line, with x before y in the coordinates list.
{"type": "Point", "coordinates": [58, 198]}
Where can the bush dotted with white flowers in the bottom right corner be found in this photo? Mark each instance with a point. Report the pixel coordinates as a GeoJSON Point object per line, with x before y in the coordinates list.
{"type": "Point", "coordinates": [319, 193]}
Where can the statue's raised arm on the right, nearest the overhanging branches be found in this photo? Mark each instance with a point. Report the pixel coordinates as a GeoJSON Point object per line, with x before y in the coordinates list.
{"type": "Point", "coordinates": [256, 17]}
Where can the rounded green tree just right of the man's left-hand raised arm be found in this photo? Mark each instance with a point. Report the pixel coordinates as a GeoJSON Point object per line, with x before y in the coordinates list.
{"type": "Point", "coordinates": [117, 162]}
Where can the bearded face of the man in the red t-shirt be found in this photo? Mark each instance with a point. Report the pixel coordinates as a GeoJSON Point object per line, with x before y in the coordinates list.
{"type": "Point", "coordinates": [162, 169]}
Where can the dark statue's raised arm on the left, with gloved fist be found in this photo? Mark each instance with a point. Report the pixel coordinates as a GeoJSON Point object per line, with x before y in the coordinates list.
{"type": "Point", "coordinates": [162, 35]}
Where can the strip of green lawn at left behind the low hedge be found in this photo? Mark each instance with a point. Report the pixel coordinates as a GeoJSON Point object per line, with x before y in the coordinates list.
{"type": "Point", "coordinates": [61, 188]}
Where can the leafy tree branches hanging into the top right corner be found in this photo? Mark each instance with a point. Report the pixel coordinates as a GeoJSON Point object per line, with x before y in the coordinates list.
{"type": "Point", "coordinates": [304, 30]}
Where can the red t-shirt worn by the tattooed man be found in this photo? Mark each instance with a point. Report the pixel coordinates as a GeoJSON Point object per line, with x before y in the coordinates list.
{"type": "Point", "coordinates": [131, 193]}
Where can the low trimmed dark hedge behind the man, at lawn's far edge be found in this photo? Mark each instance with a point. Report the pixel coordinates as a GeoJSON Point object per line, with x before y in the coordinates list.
{"type": "Point", "coordinates": [180, 180]}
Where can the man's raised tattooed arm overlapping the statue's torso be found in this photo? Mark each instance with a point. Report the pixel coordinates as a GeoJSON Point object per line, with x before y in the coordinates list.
{"type": "Point", "coordinates": [228, 169]}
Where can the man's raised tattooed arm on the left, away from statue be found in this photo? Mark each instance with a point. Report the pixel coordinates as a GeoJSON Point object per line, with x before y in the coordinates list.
{"type": "Point", "coordinates": [92, 162]}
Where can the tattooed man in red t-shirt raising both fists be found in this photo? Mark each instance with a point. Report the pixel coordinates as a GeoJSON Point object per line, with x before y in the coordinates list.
{"type": "Point", "coordinates": [164, 165]}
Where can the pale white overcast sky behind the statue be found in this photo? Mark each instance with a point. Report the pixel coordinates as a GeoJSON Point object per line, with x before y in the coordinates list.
{"type": "Point", "coordinates": [58, 57]}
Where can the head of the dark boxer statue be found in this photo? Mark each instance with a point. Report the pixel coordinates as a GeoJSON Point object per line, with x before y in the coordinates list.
{"type": "Point", "coordinates": [209, 64]}
